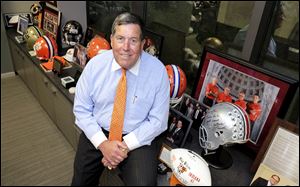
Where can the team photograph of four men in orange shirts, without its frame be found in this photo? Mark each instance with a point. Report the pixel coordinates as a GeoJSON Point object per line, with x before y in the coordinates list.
{"type": "Point", "coordinates": [225, 84]}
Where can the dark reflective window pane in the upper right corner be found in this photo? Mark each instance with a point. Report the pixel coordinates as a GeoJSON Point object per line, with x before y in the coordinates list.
{"type": "Point", "coordinates": [285, 40]}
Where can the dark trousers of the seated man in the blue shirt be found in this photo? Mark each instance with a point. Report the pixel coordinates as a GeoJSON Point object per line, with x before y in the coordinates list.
{"type": "Point", "coordinates": [138, 169]}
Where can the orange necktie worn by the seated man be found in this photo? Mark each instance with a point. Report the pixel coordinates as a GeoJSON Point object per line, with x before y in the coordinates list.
{"type": "Point", "coordinates": [117, 119]}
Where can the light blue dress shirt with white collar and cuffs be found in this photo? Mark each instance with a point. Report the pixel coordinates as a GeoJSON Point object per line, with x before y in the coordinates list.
{"type": "Point", "coordinates": [147, 103]}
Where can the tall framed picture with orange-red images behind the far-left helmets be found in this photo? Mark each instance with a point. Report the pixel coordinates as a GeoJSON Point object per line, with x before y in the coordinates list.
{"type": "Point", "coordinates": [51, 21]}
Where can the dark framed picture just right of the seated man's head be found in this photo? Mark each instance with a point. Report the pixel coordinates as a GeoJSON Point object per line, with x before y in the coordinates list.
{"type": "Point", "coordinates": [153, 43]}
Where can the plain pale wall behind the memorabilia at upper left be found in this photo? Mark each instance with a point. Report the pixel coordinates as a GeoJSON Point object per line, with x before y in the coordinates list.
{"type": "Point", "coordinates": [75, 10]}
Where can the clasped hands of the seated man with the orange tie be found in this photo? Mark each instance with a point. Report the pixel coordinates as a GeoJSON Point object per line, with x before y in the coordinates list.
{"type": "Point", "coordinates": [113, 152]}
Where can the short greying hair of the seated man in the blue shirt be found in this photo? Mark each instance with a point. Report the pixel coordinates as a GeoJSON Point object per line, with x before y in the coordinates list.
{"type": "Point", "coordinates": [128, 18]}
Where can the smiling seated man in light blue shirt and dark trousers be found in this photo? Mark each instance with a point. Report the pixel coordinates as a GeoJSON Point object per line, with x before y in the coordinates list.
{"type": "Point", "coordinates": [145, 116]}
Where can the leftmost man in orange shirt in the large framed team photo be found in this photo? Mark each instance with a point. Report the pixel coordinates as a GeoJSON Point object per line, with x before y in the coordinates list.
{"type": "Point", "coordinates": [211, 92]}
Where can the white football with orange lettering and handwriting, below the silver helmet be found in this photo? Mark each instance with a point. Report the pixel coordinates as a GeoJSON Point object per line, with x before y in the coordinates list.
{"type": "Point", "coordinates": [189, 168]}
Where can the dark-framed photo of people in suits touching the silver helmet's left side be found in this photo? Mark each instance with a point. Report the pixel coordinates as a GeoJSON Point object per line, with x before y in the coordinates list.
{"type": "Point", "coordinates": [192, 109]}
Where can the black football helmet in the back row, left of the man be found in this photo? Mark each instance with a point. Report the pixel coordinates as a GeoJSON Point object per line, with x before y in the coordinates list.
{"type": "Point", "coordinates": [72, 33]}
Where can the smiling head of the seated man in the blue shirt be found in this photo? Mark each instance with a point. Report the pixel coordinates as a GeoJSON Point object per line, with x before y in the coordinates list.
{"type": "Point", "coordinates": [127, 39]}
